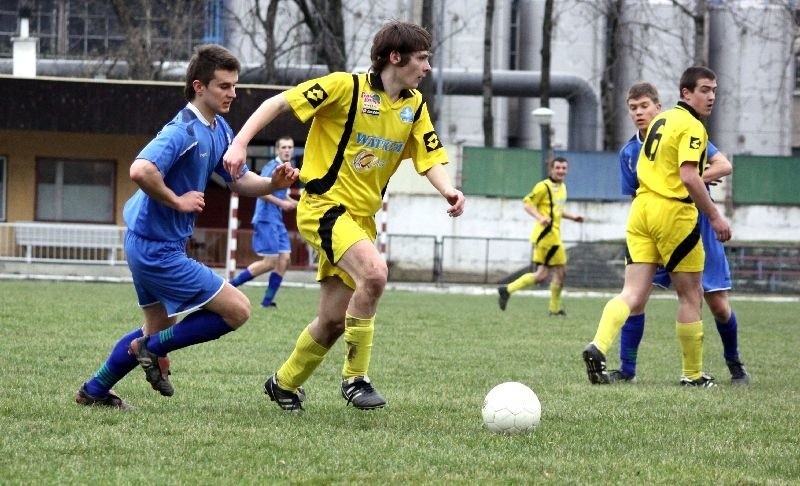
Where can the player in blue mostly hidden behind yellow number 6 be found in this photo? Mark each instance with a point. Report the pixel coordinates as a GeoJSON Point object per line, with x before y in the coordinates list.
{"type": "Point", "coordinates": [643, 106]}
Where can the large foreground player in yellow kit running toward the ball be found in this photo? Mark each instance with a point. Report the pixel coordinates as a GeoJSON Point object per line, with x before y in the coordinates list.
{"type": "Point", "coordinates": [362, 126]}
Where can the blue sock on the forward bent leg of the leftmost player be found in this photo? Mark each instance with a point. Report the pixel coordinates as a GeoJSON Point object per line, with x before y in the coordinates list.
{"type": "Point", "coordinates": [197, 327]}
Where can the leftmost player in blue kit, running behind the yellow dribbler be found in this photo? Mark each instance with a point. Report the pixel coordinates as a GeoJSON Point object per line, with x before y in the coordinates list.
{"type": "Point", "coordinates": [172, 172]}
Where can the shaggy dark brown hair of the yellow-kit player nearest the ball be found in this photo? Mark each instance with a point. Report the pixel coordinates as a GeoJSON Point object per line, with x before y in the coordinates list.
{"type": "Point", "coordinates": [403, 37]}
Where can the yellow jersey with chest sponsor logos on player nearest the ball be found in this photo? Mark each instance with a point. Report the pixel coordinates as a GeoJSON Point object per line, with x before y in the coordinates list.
{"type": "Point", "coordinates": [359, 136]}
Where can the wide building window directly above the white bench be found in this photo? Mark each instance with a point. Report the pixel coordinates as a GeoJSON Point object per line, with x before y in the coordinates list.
{"type": "Point", "coordinates": [75, 190]}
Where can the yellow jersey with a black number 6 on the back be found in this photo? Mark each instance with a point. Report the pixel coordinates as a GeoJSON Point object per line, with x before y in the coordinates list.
{"type": "Point", "coordinates": [673, 137]}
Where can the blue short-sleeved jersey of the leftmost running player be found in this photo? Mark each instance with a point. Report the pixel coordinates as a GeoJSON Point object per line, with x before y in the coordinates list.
{"type": "Point", "coordinates": [186, 151]}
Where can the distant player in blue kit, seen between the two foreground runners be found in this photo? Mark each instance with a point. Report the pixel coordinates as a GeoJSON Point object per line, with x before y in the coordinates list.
{"type": "Point", "coordinates": [270, 238]}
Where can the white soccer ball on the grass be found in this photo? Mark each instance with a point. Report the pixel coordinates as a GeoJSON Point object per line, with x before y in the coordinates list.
{"type": "Point", "coordinates": [511, 408]}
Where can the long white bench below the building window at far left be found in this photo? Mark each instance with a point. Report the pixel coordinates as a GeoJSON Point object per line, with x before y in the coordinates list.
{"type": "Point", "coordinates": [60, 236]}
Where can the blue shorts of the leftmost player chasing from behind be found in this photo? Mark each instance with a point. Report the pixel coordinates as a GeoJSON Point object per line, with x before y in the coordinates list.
{"type": "Point", "coordinates": [163, 273]}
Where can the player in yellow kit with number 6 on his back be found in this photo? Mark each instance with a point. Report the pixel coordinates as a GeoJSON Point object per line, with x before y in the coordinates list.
{"type": "Point", "coordinates": [663, 228]}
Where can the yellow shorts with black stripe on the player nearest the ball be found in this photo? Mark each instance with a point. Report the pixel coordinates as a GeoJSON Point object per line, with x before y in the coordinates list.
{"type": "Point", "coordinates": [330, 229]}
